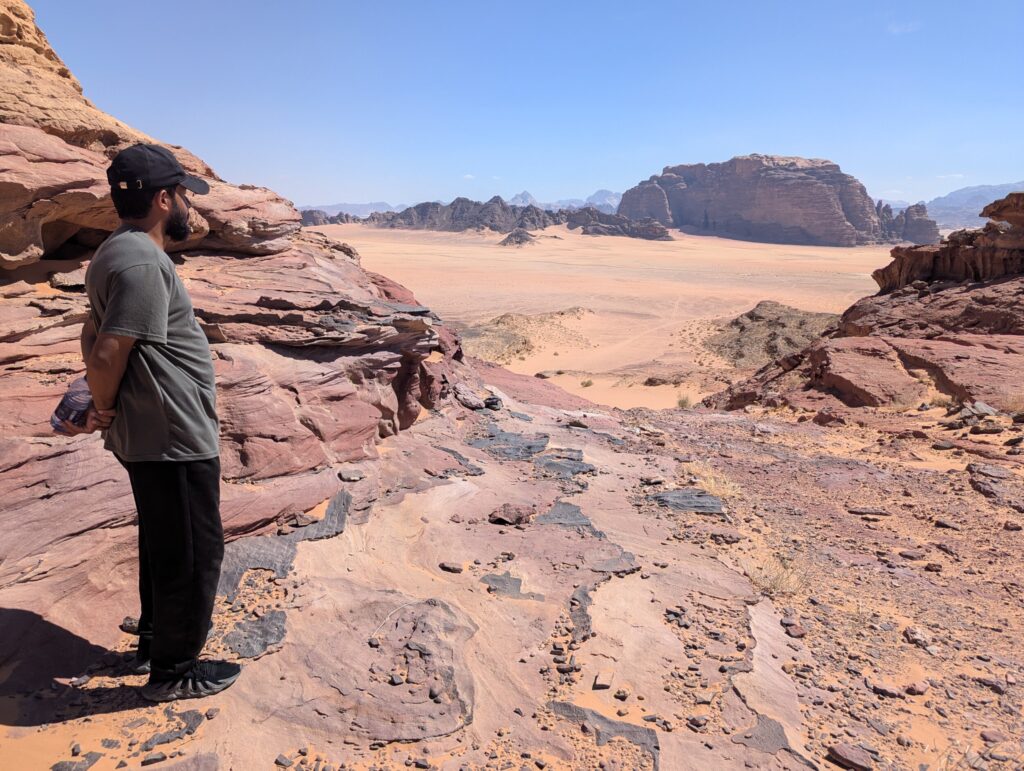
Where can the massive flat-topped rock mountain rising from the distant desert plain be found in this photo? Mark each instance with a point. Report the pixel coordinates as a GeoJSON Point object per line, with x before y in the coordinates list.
{"type": "Point", "coordinates": [761, 198]}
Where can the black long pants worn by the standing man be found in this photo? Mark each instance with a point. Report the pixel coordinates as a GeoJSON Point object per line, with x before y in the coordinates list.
{"type": "Point", "coordinates": [181, 547]}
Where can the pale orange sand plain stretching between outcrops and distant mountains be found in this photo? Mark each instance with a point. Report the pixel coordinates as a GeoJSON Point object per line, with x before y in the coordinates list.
{"type": "Point", "coordinates": [642, 308]}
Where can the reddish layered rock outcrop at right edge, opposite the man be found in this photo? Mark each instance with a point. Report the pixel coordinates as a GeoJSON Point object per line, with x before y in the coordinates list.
{"type": "Point", "coordinates": [948, 324]}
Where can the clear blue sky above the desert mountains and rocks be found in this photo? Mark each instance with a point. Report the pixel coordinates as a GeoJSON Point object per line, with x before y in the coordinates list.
{"type": "Point", "coordinates": [406, 102]}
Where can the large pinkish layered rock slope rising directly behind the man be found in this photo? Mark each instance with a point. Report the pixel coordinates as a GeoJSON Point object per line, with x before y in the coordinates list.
{"type": "Point", "coordinates": [317, 360]}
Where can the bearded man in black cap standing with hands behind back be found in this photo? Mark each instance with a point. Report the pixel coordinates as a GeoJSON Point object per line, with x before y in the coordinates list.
{"type": "Point", "coordinates": [150, 370]}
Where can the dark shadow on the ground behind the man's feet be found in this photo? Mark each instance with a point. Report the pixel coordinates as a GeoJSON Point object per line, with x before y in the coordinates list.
{"type": "Point", "coordinates": [34, 653]}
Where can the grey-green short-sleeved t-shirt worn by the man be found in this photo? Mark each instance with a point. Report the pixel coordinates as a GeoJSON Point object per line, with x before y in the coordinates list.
{"type": "Point", "coordinates": [167, 401]}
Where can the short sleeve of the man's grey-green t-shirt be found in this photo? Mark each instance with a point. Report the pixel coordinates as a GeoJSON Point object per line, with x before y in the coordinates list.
{"type": "Point", "coordinates": [138, 303]}
